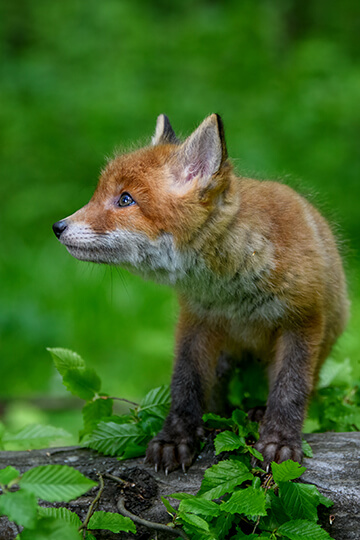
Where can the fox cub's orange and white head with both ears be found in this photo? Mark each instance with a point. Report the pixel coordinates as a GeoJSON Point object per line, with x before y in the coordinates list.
{"type": "Point", "coordinates": [154, 208]}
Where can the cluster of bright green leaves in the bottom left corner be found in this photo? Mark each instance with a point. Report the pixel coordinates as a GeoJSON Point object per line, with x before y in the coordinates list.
{"type": "Point", "coordinates": [52, 483]}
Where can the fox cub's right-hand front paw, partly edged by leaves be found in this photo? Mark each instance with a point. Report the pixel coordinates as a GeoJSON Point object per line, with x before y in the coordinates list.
{"type": "Point", "coordinates": [278, 448]}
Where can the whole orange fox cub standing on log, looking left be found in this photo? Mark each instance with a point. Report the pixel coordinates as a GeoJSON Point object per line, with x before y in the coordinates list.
{"type": "Point", "coordinates": [255, 266]}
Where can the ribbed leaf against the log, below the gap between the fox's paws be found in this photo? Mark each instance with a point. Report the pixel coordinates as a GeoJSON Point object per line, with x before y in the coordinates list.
{"type": "Point", "coordinates": [222, 478]}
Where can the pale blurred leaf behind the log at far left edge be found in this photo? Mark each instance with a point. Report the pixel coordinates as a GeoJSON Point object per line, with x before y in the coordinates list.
{"type": "Point", "coordinates": [35, 436]}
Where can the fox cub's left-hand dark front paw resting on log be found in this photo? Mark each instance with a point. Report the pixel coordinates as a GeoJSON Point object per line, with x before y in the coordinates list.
{"type": "Point", "coordinates": [172, 449]}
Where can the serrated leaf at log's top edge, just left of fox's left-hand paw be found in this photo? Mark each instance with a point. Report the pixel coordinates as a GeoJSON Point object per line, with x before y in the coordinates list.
{"type": "Point", "coordinates": [111, 438]}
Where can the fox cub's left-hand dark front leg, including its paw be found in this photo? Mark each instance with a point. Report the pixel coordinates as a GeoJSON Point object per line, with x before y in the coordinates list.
{"type": "Point", "coordinates": [197, 351]}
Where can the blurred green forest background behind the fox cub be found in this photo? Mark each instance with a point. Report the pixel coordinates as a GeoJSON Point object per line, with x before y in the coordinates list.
{"type": "Point", "coordinates": [81, 78]}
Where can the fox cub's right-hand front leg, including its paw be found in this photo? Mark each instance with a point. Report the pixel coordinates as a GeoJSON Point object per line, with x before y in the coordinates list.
{"type": "Point", "coordinates": [291, 381]}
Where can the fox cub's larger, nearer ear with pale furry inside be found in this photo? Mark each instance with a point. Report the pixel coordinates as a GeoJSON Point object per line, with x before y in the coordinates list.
{"type": "Point", "coordinates": [203, 153]}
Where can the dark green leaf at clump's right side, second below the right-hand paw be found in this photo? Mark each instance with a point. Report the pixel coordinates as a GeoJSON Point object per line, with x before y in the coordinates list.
{"type": "Point", "coordinates": [299, 500]}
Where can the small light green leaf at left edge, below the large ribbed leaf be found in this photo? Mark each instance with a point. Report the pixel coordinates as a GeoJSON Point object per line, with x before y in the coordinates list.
{"type": "Point", "coordinates": [19, 506]}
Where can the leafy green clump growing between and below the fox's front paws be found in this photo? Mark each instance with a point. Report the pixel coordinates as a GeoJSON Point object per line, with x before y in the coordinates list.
{"type": "Point", "coordinates": [238, 501]}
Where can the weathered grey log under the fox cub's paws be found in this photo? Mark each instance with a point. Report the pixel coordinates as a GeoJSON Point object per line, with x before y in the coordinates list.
{"type": "Point", "coordinates": [334, 469]}
